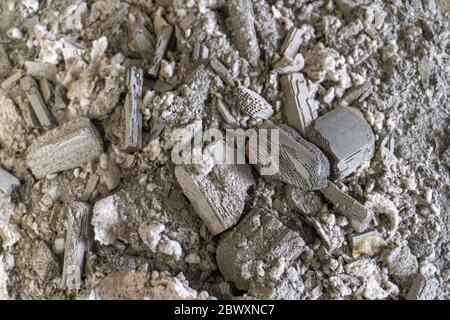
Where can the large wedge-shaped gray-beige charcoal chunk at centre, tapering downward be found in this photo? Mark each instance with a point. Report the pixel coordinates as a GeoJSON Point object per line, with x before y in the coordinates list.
{"type": "Point", "coordinates": [218, 197]}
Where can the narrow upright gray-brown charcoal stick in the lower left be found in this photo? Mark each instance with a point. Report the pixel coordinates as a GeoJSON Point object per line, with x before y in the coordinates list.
{"type": "Point", "coordinates": [78, 244]}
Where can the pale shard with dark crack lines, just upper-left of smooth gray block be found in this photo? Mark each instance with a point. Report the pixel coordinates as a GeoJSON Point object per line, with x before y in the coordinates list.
{"type": "Point", "coordinates": [299, 108]}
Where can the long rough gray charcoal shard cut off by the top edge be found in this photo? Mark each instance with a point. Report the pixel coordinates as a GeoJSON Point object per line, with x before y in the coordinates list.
{"type": "Point", "coordinates": [242, 20]}
